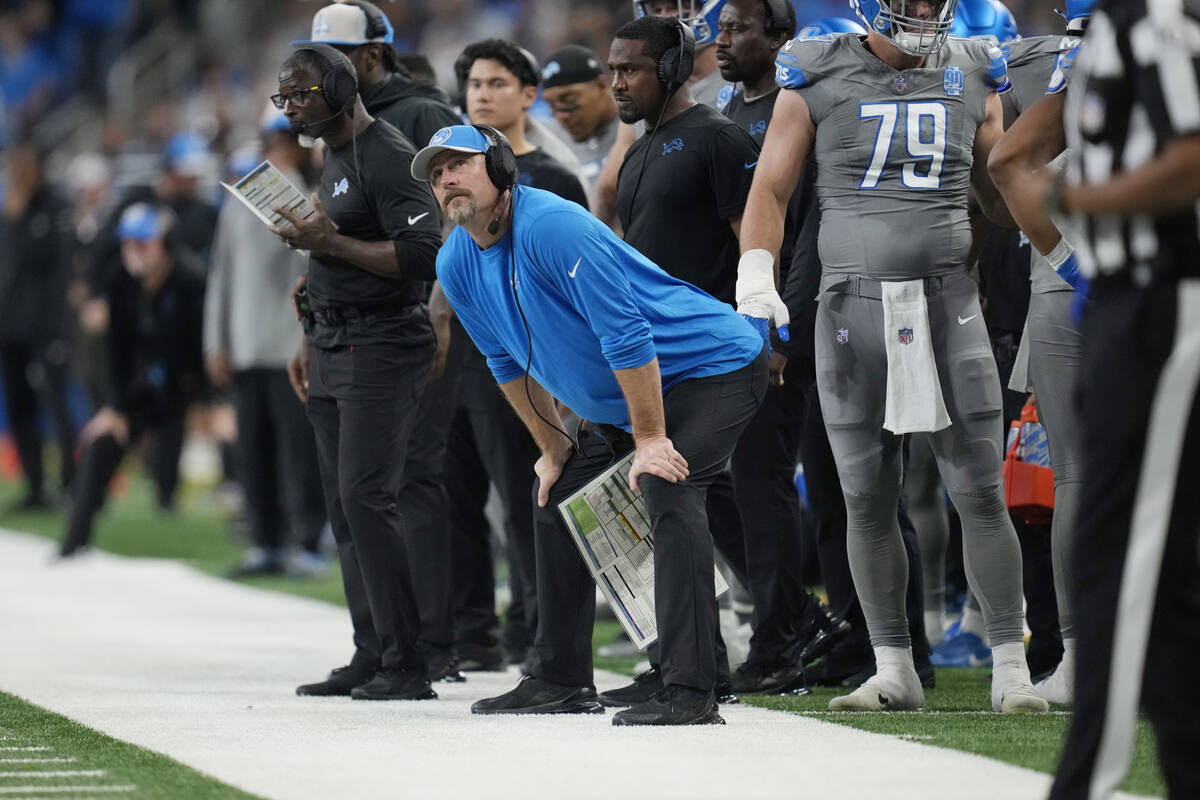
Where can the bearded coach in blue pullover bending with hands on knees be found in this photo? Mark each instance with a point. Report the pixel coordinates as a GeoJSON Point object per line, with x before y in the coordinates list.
{"type": "Point", "coordinates": [566, 310]}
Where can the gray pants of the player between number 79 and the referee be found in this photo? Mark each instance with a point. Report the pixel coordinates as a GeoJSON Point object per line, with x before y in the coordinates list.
{"type": "Point", "coordinates": [1057, 352]}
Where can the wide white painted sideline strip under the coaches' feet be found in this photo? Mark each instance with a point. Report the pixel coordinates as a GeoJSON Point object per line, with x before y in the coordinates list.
{"type": "Point", "coordinates": [203, 671]}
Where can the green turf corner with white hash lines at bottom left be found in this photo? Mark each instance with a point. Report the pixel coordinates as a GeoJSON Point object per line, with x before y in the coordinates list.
{"type": "Point", "coordinates": [43, 753]}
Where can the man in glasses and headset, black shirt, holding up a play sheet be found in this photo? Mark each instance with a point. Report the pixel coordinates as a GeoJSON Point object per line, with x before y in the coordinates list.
{"type": "Point", "coordinates": [374, 239]}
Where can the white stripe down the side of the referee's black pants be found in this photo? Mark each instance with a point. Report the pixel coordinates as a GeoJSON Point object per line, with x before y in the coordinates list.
{"type": "Point", "coordinates": [1174, 398]}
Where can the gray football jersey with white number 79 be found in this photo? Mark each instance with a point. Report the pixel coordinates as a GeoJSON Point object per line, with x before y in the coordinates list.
{"type": "Point", "coordinates": [893, 151]}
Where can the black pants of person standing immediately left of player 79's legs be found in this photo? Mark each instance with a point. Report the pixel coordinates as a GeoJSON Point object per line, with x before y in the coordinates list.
{"type": "Point", "coordinates": [764, 470]}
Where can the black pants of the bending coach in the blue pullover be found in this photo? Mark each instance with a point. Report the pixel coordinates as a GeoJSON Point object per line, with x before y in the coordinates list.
{"type": "Point", "coordinates": [705, 418]}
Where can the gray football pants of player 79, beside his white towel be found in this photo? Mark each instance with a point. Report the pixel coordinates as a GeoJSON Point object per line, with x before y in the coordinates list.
{"type": "Point", "coordinates": [853, 384]}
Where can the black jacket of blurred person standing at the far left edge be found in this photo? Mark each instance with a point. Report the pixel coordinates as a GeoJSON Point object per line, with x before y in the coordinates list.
{"type": "Point", "coordinates": [35, 268]}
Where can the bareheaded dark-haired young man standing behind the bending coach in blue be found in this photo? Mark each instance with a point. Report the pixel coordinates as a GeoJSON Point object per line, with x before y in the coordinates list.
{"type": "Point", "coordinates": [488, 441]}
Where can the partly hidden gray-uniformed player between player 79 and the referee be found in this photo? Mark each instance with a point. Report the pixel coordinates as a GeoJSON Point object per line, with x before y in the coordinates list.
{"type": "Point", "coordinates": [1039, 69]}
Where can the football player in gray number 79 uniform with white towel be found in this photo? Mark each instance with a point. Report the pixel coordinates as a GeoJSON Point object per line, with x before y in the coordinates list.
{"type": "Point", "coordinates": [902, 123]}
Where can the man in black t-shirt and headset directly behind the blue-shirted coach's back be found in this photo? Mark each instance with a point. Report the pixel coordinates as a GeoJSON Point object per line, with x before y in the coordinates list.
{"type": "Point", "coordinates": [680, 199]}
